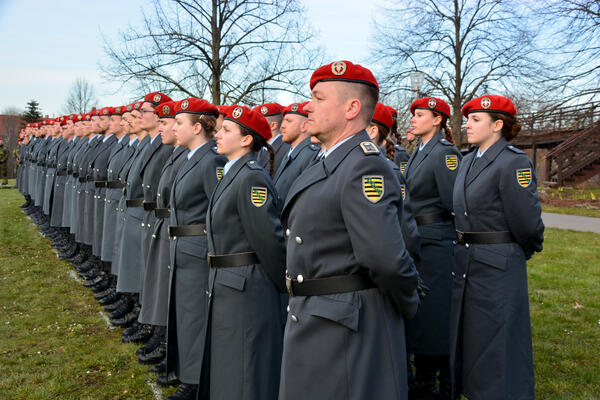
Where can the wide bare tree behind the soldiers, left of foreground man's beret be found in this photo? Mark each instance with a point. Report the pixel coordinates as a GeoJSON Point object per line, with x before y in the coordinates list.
{"type": "Point", "coordinates": [226, 50]}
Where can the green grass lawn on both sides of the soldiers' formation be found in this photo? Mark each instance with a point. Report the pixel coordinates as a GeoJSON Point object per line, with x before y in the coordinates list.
{"type": "Point", "coordinates": [54, 344]}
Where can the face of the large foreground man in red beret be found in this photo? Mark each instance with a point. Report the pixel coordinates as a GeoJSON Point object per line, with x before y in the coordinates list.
{"type": "Point", "coordinates": [326, 113]}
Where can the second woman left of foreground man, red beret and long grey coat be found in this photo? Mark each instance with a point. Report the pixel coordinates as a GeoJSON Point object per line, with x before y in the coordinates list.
{"type": "Point", "coordinates": [195, 121]}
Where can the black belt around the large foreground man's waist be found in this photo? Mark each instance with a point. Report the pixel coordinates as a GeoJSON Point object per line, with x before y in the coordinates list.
{"type": "Point", "coordinates": [331, 285]}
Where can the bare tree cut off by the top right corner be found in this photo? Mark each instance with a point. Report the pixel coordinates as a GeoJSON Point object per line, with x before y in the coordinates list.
{"type": "Point", "coordinates": [574, 26]}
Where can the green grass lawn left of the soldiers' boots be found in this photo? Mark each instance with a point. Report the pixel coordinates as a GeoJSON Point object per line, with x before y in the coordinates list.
{"type": "Point", "coordinates": [53, 342]}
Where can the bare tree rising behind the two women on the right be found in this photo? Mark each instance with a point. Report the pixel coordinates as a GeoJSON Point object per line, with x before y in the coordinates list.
{"type": "Point", "coordinates": [463, 48]}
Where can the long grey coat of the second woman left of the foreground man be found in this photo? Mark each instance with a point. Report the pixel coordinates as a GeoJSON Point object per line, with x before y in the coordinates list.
{"type": "Point", "coordinates": [186, 333]}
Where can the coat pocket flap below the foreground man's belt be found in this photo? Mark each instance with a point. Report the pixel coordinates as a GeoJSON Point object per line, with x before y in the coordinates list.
{"type": "Point", "coordinates": [343, 308]}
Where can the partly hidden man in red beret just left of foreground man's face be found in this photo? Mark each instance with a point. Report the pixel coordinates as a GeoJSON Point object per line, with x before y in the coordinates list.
{"type": "Point", "coordinates": [294, 131]}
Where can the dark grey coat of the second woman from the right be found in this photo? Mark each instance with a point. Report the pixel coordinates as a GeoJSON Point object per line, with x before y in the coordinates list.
{"type": "Point", "coordinates": [430, 176]}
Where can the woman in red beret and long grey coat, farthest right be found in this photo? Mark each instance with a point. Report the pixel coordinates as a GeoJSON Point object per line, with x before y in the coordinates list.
{"type": "Point", "coordinates": [498, 227]}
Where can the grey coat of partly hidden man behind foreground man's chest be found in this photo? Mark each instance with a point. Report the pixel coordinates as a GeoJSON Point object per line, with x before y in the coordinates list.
{"type": "Point", "coordinates": [292, 166]}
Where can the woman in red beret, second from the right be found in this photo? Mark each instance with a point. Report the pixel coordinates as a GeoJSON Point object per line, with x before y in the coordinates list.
{"type": "Point", "coordinates": [430, 176]}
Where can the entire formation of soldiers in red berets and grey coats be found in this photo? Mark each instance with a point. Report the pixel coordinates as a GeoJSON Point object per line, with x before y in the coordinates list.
{"type": "Point", "coordinates": [309, 263]}
